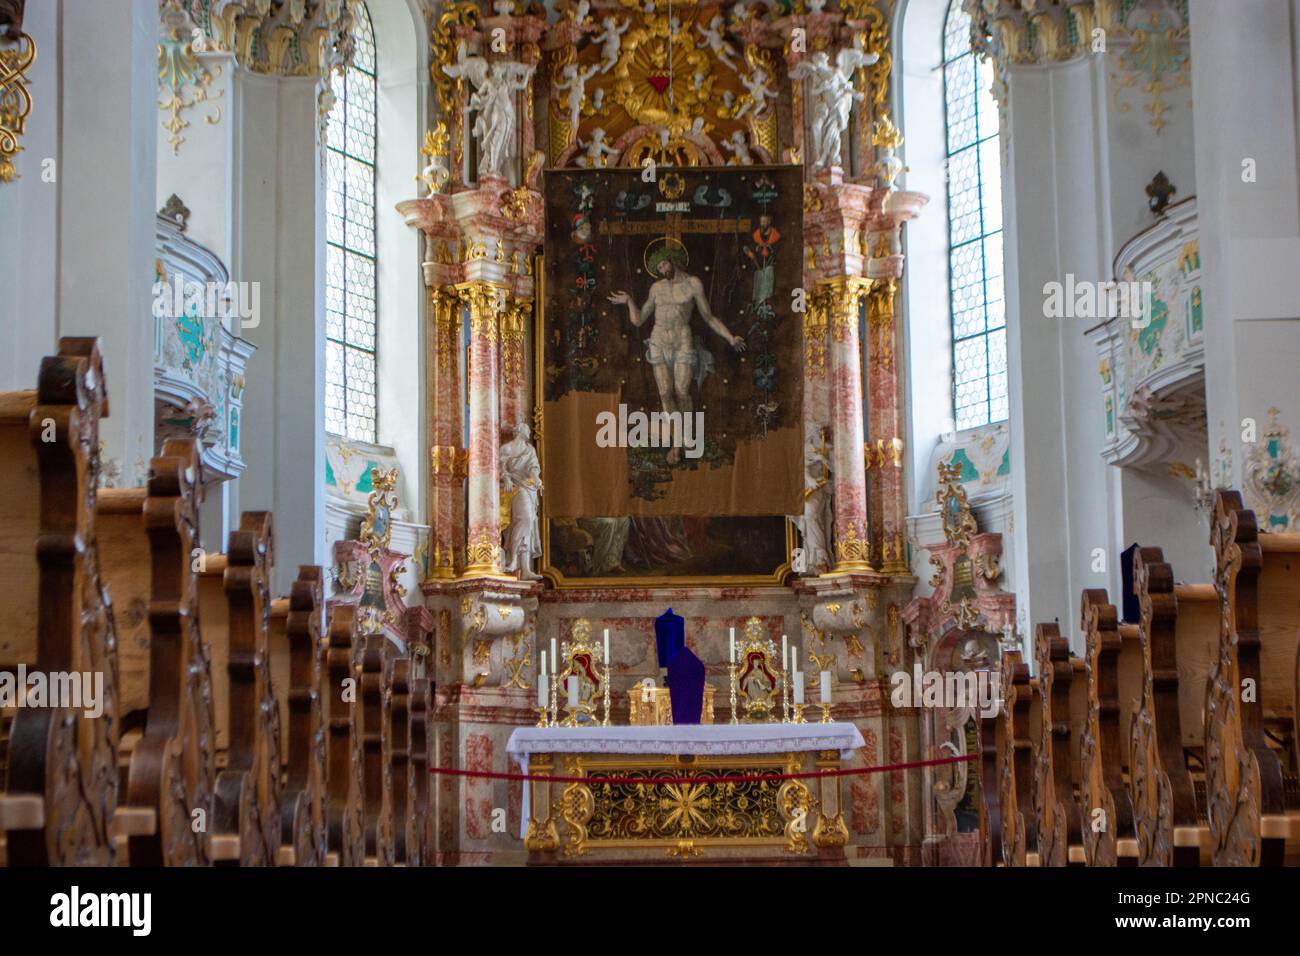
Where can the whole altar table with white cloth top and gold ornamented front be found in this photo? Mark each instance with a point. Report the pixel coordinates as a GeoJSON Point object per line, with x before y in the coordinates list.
{"type": "Point", "coordinates": [753, 821]}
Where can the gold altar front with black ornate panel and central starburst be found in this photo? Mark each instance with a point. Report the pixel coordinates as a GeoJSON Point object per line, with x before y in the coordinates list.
{"type": "Point", "coordinates": [749, 823]}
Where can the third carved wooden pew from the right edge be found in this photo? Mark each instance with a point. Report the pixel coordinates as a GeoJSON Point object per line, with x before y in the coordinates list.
{"type": "Point", "coordinates": [1107, 811]}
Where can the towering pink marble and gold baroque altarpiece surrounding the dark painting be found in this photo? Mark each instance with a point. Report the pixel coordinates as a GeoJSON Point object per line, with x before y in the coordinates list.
{"type": "Point", "coordinates": [578, 159]}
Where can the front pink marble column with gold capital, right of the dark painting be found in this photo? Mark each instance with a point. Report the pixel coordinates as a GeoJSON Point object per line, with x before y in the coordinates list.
{"type": "Point", "coordinates": [843, 299]}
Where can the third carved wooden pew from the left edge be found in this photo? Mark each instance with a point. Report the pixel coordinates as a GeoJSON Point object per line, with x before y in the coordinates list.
{"type": "Point", "coordinates": [235, 611]}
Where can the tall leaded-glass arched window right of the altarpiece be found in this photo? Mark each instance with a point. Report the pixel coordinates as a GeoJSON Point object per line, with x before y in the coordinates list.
{"type": "Point", "coordinates": [974, 230]}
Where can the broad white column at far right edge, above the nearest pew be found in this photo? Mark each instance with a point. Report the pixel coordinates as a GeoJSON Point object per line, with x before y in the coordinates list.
{"type": "Point", "coordinates": [1245, 89]}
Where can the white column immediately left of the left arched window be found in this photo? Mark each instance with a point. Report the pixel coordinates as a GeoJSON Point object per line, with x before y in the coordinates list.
{"type": "Point", "coordinates": [279, 217]}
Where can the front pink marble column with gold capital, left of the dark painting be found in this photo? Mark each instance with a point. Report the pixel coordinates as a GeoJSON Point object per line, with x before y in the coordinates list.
{"type": "Point", "coordinates": [484, 520]}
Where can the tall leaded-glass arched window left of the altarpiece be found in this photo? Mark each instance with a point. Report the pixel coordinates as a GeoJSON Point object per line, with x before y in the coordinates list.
{"type": "Point", "coordinates": [350, 253]}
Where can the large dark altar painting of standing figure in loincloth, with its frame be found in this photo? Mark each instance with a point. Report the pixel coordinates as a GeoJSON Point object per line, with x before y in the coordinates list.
{"type": "Point", "coordinates": [670, 374]}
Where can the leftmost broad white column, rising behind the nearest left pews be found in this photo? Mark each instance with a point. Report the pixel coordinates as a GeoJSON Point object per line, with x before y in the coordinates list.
{"type": "Point", "coordinates": [107, 106]}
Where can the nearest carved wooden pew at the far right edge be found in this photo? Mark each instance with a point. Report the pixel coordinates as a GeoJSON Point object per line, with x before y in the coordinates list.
{"type": "Point", "coordinates": [1251, 816]}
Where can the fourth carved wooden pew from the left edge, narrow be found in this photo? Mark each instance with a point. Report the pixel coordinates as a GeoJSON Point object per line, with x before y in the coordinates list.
{"type": "Point", "coordinates": [298, 659]}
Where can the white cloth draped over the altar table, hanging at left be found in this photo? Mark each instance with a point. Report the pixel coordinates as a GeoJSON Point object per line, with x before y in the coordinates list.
{"type": "Point", "coordinates": [697, 739]}
